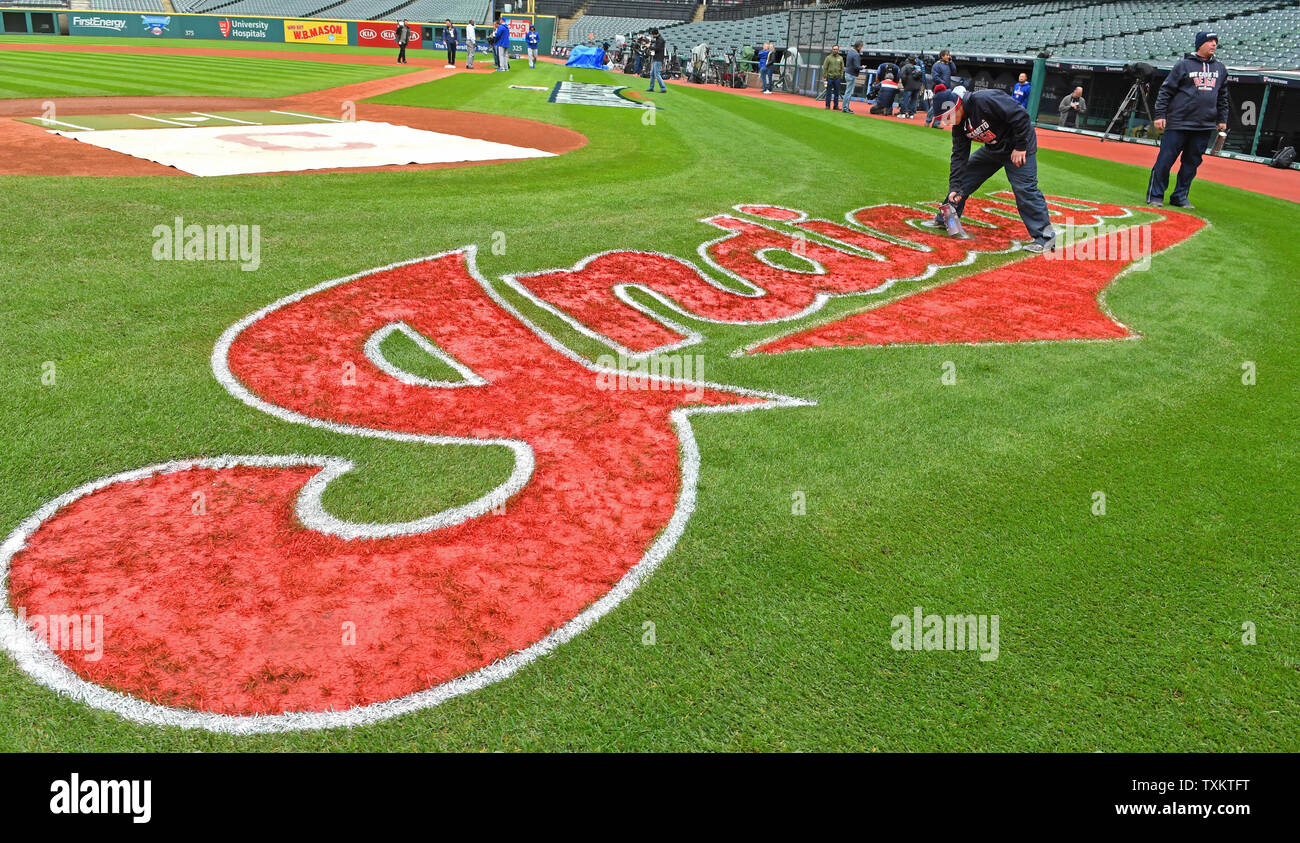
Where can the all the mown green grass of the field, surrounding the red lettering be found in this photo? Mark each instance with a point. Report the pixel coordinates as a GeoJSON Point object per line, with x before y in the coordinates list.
{"type": "Point", "coordinates": [1119, 633]}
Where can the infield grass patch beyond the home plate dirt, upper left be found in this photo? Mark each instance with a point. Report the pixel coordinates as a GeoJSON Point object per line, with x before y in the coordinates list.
{"type": "Point", "coordinates": [45, 75]}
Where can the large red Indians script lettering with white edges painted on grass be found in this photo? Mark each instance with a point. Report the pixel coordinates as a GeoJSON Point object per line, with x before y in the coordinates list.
{"type": "Point", "coordinates": [263, 612]}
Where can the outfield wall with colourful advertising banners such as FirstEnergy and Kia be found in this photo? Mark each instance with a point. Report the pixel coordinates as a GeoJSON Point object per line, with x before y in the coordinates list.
{"type": "Point", "coordinates": [253, 28]}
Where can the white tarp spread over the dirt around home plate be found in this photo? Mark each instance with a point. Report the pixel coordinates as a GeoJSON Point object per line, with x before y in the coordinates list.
{"type": "Point", "coordinates": [235, 150]}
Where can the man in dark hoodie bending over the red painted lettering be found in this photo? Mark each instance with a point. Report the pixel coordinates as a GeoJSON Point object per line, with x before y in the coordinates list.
{"type": "Point", "coordinates": [998, 122]}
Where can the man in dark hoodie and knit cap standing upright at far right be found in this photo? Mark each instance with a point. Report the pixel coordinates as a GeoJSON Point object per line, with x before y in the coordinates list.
{"type": "Point", "coordinates": [1191, 105]}
